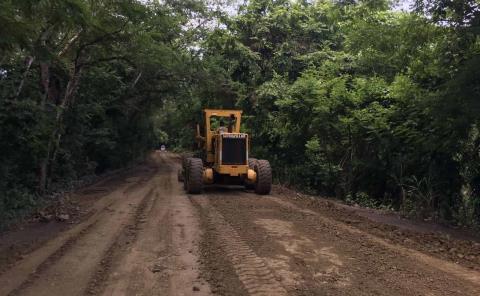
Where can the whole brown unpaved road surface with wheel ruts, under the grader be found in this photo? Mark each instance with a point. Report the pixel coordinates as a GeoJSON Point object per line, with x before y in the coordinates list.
{"type": "Point", "coordinates": [140, 234]}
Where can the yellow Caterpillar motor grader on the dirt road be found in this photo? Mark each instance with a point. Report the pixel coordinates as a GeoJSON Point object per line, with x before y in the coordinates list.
{"type": "Point", "coordinates": [225, 156]}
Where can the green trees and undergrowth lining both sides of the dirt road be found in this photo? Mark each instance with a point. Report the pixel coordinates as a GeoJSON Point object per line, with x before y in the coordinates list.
{"type": "Point", "coordinates": [352, 99]}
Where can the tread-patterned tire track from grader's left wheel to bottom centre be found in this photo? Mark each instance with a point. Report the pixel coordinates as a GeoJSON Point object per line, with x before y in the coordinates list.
{"type": "Point", "coordinates": [252, 271]}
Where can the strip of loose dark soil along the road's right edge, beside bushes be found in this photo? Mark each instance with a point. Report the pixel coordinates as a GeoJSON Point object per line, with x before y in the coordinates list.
{"type": "Point", "coordinates": [456, 245]}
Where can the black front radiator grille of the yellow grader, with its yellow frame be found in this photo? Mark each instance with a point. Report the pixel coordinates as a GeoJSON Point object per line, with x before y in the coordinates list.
{"type": "Point", "coordinates": [233, 150]}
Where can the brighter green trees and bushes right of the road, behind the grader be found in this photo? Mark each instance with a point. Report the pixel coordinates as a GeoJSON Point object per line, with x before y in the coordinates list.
{"type": "Point", "coordinates": [359, 100]}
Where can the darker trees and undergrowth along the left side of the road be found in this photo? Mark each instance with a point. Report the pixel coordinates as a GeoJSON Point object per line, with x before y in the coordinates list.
{"type": "Point", "coordinates": [79, 85]}
